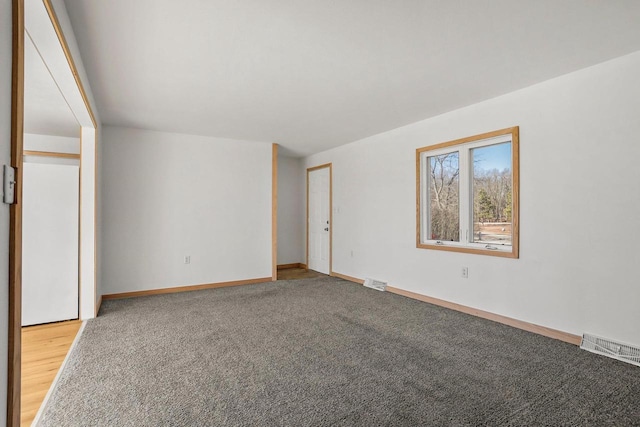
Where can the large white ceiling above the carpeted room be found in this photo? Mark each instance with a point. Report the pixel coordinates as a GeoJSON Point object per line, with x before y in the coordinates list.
{"type": "Point", "coordinates": [315, 74]}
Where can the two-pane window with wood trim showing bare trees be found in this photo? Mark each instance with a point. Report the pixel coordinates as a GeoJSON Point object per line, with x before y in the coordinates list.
{"type": "Point", "coordinates": [467, 195]}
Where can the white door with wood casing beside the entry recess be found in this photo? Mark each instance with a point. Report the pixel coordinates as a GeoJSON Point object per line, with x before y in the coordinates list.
{"type": "Point", "coordinates": [318, 220]}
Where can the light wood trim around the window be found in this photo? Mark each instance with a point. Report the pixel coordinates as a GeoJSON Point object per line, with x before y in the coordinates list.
{"type": "Point", "coordinates": [515, 165]}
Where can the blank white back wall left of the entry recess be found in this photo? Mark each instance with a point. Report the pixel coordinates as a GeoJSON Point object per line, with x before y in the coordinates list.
{"type": "Point", "coordinates": [168, 195]}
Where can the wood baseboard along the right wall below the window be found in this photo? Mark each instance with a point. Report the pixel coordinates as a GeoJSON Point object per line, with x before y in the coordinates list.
{"type": "Point", "coordinates": [519, 324]}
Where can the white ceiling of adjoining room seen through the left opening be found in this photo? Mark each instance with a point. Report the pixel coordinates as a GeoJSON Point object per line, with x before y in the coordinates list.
{"type": "Point", "coordinates": [46, 112]}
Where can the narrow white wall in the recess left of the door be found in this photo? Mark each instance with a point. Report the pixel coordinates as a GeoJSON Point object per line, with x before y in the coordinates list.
{"type": "Point", "coordinates": [291, 216]}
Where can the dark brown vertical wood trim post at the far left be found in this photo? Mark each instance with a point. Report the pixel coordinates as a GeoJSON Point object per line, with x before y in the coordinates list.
{"type": "Point", "coordinates": [15, 226]}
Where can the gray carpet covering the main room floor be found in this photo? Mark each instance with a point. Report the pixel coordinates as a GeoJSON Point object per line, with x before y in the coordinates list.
{"type": "Point", "coordinates": [322, 352]}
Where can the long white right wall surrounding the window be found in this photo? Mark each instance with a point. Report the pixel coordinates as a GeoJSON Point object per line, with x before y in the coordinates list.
{"type": "Point", "coordinates": [579, 206]}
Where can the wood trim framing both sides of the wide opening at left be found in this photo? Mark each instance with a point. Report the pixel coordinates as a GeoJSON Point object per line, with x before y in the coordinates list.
{"type": "Point", "coordinates": [15, 222]}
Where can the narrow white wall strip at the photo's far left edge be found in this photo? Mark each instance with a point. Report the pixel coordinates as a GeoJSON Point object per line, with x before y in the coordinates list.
{"type": "Point", "coordinates": [5, 159]}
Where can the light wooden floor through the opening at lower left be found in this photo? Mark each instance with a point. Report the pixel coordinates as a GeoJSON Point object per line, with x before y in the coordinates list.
{"type": "Point", "coordinates": [44, 348]}
